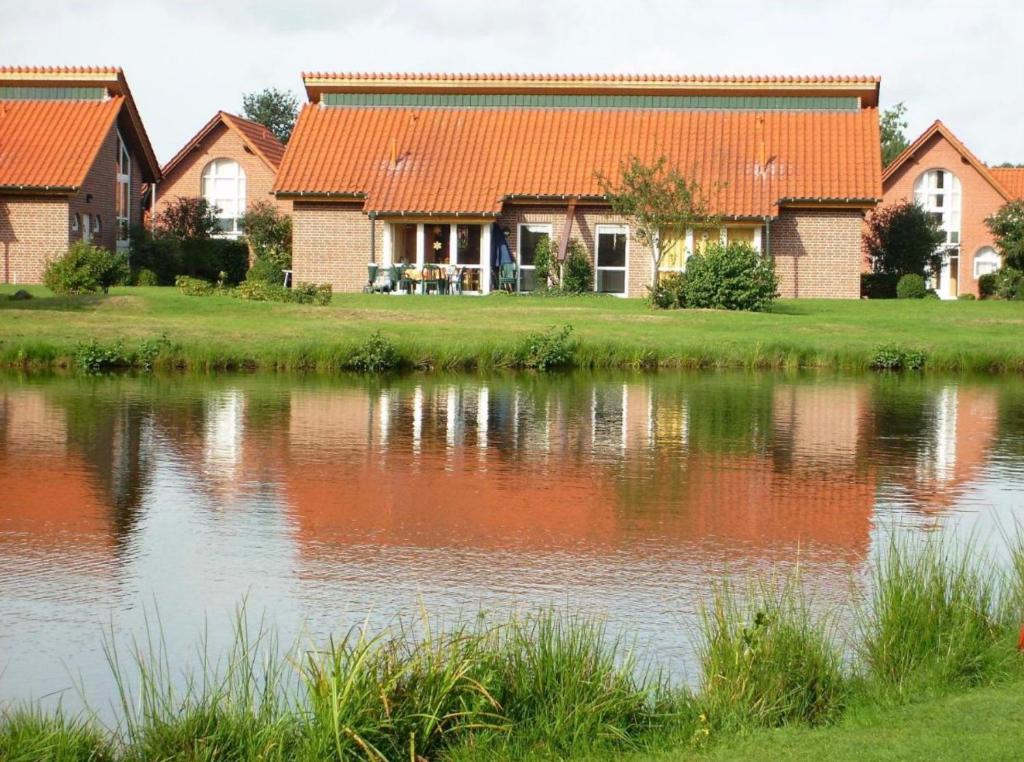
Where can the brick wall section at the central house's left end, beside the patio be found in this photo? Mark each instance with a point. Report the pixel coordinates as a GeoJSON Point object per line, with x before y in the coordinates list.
{"type": "Point", "coordinates": [331, 244]}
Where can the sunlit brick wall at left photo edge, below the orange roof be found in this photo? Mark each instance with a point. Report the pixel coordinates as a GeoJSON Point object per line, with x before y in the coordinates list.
{"type": "Point", "coordinates": [33, 232]}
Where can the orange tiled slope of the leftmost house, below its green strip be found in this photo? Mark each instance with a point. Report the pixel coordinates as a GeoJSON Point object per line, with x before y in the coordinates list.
{"type": "Point", "coordinates": [52, 145]}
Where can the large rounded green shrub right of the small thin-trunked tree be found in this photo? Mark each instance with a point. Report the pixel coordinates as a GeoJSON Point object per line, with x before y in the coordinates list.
{"type": "Point", "coordinates": [734, 277]}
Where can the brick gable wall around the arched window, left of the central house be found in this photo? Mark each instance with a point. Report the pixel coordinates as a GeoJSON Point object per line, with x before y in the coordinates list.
{"type": "Point", "coordinates": [187, 179]}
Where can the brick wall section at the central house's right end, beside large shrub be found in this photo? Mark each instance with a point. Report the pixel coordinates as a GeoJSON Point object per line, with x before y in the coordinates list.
{"type": "Point", "coordinates": [819, 253]}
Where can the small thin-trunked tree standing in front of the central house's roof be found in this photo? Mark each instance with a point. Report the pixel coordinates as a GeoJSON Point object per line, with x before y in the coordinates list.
{"type": "Point", "coordinates": [660, 204]}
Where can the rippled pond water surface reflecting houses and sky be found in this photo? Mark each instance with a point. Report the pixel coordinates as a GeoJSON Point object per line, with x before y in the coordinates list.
{"type": "Point", "coordinates": [327, 503]}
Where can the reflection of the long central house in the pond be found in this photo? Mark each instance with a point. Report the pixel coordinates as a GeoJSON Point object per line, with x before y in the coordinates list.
{"type": "Point", "coordinates": [603, 464]}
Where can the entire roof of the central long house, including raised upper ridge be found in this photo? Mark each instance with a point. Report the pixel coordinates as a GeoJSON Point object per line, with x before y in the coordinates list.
{"type": "Point", "coordinates": [458, 160]}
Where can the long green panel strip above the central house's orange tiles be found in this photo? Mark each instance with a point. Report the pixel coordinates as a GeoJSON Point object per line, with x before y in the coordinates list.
{"type": "Point", "coordinates": [504, 101]}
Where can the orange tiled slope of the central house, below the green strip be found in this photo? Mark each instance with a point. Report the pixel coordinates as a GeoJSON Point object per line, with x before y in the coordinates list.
{"type": "Point", "coordinates": [471, 160]}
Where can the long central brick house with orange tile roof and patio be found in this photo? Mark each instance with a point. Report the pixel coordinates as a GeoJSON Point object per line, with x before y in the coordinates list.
{"type": "Point", "coordinates": [390, 168]}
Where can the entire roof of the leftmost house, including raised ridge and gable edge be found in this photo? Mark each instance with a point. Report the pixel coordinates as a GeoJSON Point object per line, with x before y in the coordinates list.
{"type": "Point", "coordinates": [51, 137]}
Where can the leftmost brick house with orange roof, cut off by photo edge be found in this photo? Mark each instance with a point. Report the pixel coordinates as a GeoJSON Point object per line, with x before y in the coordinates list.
{"type": "Point", "coordinates": [74, 156]}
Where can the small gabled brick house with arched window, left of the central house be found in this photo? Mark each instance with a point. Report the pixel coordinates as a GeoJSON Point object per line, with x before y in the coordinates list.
{"type": "Point", "coordinates": [232, 163]}
